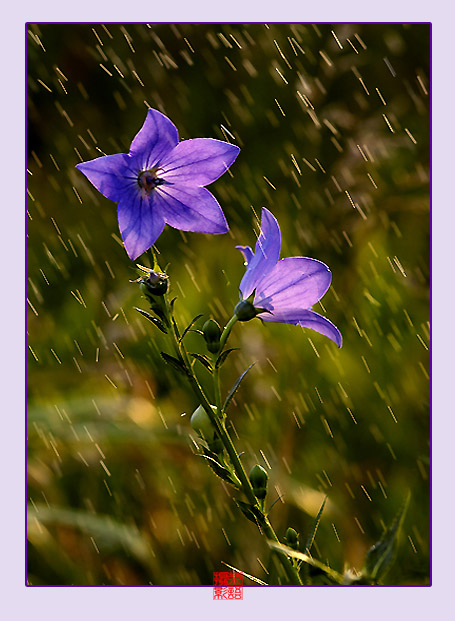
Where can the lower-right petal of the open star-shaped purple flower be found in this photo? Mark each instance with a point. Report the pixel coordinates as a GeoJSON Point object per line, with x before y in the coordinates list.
{"type": "Point", "coordinates": [190, 209]}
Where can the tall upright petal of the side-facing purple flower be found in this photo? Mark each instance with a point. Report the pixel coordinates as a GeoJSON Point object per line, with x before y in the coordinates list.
{"type": "Point", "coordinates": [266, 253]}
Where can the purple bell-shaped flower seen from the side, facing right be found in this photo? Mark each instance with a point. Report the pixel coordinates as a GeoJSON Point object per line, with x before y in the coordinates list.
{"type": "Point", "coordinates": [283, 290]}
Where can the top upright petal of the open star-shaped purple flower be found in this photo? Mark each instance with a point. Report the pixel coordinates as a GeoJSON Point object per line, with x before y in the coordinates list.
{"type": "Point", "coordinates": [154, 140]}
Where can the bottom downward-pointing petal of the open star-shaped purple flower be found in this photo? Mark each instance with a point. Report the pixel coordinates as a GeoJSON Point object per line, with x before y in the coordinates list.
{"type": "Point", "coordinates": [140, 222]}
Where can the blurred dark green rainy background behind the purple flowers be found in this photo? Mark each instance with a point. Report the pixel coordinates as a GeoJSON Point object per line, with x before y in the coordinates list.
{"type": "Point", "coordinates": [334, 126]}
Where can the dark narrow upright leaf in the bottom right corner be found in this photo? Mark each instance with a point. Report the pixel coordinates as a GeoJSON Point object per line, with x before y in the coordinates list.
{"type": "Point", "coordinates": [380, 557]}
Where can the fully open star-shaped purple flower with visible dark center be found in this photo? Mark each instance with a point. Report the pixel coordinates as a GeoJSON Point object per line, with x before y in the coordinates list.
{"type": "Point", "coordinates": [161, 181]}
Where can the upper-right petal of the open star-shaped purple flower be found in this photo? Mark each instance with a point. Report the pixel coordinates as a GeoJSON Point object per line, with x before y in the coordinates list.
{"type": "Point", "coordinates": [198, 161]}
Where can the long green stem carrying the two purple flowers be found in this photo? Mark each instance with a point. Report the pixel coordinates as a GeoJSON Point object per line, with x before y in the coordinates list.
{"type": "Point", "coordinates": [267, 528]}
